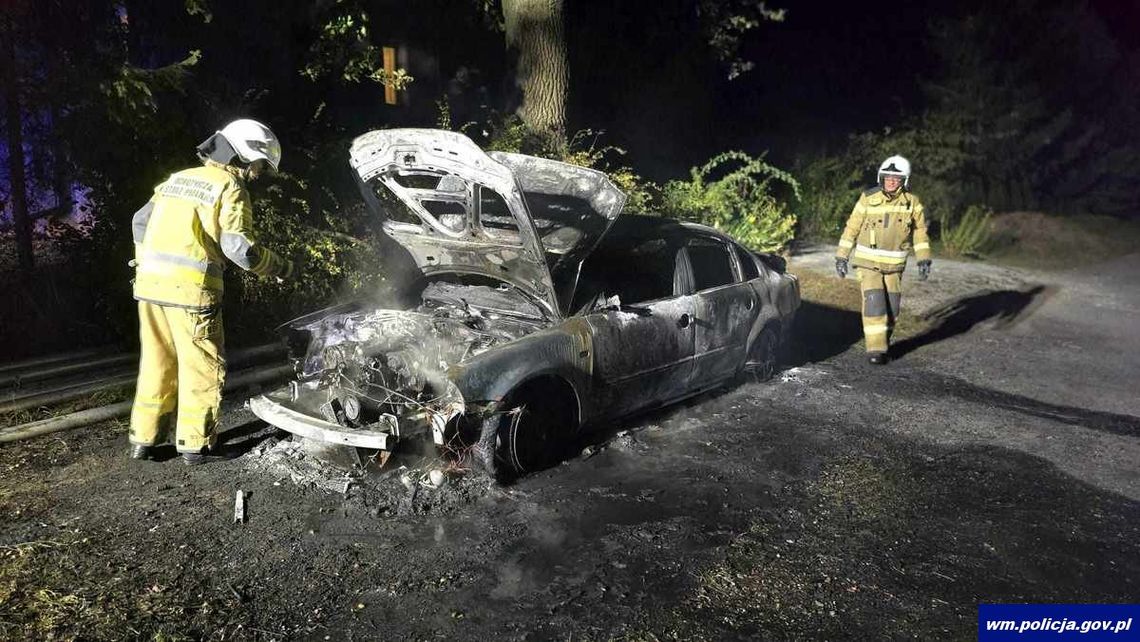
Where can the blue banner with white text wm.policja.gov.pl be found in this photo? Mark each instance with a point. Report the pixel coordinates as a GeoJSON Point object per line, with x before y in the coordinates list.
{"type": "Point", "coordinates": [1058, 622]}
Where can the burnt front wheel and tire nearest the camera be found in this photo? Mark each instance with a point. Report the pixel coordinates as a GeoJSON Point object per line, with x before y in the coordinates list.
{"type": "Point", "coordinates": [531, 435]}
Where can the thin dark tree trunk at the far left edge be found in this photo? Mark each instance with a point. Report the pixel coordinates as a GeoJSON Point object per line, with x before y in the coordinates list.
{"type": "Point", "coordinates": [19, 182]}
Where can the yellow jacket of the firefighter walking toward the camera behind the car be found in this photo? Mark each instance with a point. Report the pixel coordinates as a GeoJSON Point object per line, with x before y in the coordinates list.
{"type": "Point", "coordinates": [880, 232]}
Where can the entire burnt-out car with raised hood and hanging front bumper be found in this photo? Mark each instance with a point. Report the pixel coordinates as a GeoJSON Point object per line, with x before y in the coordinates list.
{"type": "Point", "coordinates": [535, 312]}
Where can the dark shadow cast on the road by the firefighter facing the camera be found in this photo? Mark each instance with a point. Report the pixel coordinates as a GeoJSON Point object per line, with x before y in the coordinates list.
{"type": "Point", "coordinates": [1005, 308]}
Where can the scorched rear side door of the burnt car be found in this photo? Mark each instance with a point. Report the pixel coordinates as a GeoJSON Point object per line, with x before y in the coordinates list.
{"type": "Point", "coordinates": [727, 310]}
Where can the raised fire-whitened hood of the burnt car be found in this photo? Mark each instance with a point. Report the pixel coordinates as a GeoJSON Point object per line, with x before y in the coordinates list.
{"type": "Point", "coordinates": [457, 209]}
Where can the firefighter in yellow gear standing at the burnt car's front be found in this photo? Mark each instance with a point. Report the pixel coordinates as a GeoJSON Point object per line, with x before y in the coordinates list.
{"type": "Point", "coordinates": [197, 220]}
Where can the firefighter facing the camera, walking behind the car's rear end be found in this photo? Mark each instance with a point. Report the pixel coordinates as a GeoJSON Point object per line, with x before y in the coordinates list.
{"type": "Point", "coordinates": [877, 241]}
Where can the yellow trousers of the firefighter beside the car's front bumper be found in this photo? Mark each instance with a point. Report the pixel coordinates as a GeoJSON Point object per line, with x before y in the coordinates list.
{"type": "Point", "coordinates": [182, 373]}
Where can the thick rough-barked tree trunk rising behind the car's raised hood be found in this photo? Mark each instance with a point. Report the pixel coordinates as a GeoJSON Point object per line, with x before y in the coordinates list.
{"type": "Point", "coordinates": [535, 31]}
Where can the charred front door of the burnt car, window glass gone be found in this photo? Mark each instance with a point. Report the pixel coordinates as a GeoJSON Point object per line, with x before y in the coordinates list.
{"type": "Point", "coordinates": [644, 331]}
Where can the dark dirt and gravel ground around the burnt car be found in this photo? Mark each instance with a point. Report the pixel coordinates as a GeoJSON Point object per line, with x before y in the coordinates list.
{"type": "Point", "coordinates": [995, 461]}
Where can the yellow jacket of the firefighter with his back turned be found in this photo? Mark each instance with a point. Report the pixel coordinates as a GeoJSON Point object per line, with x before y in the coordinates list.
{"type": "Point", "coordinates": [196, 221]}
